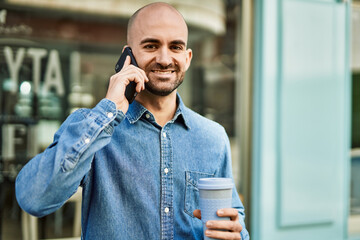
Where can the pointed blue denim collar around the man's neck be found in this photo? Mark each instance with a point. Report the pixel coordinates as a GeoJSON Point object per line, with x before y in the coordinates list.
{"type": "Point", "coordinates": [136, 111]}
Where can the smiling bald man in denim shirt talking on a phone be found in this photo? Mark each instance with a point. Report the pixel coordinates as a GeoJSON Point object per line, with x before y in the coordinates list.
{"type": "Point", "coordinates": [138, 164]}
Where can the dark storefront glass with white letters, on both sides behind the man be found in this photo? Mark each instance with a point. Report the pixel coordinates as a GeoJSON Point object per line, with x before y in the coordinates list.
{"type": "Point", "coordinates": [54, 60]}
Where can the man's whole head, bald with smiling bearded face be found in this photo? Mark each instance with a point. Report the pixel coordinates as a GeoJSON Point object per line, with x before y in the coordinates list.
{"type": "Point", "coordinates": [158, 38]}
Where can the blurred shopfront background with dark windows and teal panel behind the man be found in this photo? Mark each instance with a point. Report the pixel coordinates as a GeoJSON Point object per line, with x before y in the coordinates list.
{"type": "Point", "coordinates": [57, 56]}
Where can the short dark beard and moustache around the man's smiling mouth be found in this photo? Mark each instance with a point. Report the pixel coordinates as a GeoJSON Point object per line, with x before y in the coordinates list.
{"type": "Point", "coordinates": [164, 86]}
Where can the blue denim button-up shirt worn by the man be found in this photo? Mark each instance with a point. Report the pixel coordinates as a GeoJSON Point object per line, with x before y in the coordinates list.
{"type": "Point", "coordinates": [139, 179]}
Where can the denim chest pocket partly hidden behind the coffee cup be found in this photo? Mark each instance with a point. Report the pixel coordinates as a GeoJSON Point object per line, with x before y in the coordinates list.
{"type": "Point", "coordinates": [192, 191]}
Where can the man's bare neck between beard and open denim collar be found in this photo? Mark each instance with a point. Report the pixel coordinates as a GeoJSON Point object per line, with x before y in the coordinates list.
{"type": "Point", "coordinates": [162, 107]}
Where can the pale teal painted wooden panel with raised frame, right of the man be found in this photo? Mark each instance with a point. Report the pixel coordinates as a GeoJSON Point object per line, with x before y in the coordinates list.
{"type": "Point", "coordinates": [301, 120]}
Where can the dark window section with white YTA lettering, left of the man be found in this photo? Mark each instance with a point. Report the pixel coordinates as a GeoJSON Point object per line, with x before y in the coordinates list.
{"type": "Point", "coordinates": [51, 62]}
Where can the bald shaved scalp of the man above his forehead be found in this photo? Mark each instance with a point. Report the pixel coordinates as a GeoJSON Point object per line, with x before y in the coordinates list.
{"type": "Point", "coordinates": [151, 13]}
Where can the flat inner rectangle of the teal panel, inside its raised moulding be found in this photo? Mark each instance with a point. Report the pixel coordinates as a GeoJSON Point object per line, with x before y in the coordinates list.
{"type": "Point", "coordinates": [311, 106]}
